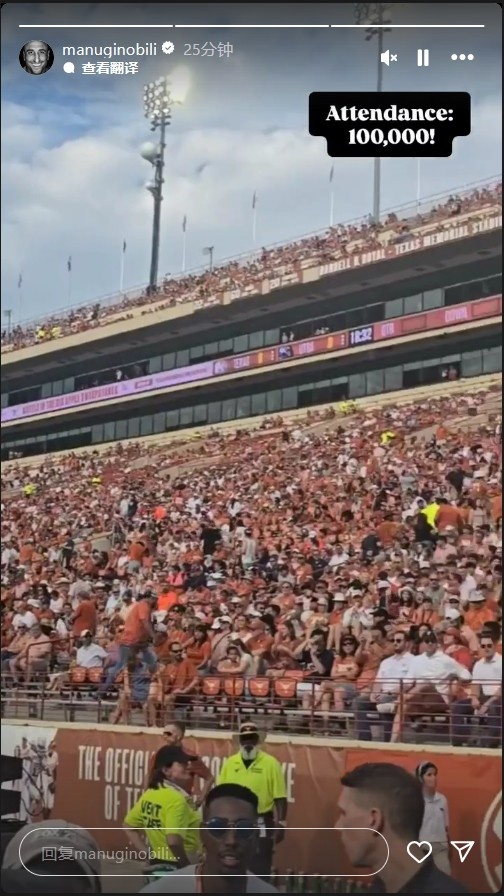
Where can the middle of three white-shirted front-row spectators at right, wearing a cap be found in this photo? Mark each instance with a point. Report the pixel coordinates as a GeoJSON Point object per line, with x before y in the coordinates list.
{"type": "Point", "coordinates": [433, 672]}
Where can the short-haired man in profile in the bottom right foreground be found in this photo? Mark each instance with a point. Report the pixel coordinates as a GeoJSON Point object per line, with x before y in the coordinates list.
{"type": "Point", "coordinates": [382, 805]}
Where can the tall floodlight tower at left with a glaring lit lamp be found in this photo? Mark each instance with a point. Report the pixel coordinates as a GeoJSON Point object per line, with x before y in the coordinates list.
{"type": "Point", "coordinates": [158, 102]}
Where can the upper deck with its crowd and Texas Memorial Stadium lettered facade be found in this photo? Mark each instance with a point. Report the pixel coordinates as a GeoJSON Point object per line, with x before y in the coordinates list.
{"type": "Point", "coordinates": [342, 250]}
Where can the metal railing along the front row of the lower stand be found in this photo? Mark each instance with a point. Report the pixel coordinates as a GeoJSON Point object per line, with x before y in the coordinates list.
{"type": "Point", "coordinates": [287, 703]}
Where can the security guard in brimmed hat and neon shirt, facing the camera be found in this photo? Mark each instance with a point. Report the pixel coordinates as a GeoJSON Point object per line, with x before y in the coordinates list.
{"type": "Point", "coordinates": [263, 775]}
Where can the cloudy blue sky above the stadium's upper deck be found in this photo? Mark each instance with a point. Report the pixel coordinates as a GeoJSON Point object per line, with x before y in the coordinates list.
{"type": "Point", "coordinates": [73, 181]}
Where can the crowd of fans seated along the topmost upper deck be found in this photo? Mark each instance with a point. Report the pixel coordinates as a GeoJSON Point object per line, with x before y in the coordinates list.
{"type": "Point", "coordinates": [207, 287]}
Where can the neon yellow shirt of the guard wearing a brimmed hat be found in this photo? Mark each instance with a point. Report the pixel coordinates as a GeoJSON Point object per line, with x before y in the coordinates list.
{"type": "Point", "coordinates": [264, 777]}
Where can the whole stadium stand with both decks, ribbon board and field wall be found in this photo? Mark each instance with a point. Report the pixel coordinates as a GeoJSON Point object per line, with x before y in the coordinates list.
{"type": "Point", "coordinates": [307, 507]}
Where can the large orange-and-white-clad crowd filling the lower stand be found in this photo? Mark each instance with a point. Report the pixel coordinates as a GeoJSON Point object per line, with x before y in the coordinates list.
{"type": "Point", "coordinates": [351, 569]}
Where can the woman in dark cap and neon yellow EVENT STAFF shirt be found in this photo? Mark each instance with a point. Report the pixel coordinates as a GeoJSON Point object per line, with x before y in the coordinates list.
{"type": "Point", "coordinates": [164, 815]}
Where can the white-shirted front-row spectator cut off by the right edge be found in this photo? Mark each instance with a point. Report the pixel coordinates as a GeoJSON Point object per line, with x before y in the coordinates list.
{"type": "Point", "coordinates": [486, 697]}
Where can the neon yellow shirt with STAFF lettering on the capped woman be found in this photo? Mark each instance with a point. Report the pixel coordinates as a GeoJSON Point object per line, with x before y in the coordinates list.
{"type": "Point", "coordinates": [165, 808]}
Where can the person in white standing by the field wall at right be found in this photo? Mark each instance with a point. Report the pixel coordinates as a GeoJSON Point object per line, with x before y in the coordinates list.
{"type": "Point", "coordinates": [436, 820]}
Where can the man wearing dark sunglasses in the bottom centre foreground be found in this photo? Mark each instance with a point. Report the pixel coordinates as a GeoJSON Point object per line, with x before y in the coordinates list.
{"type": "Point", "coordinates": [230, 834]}
